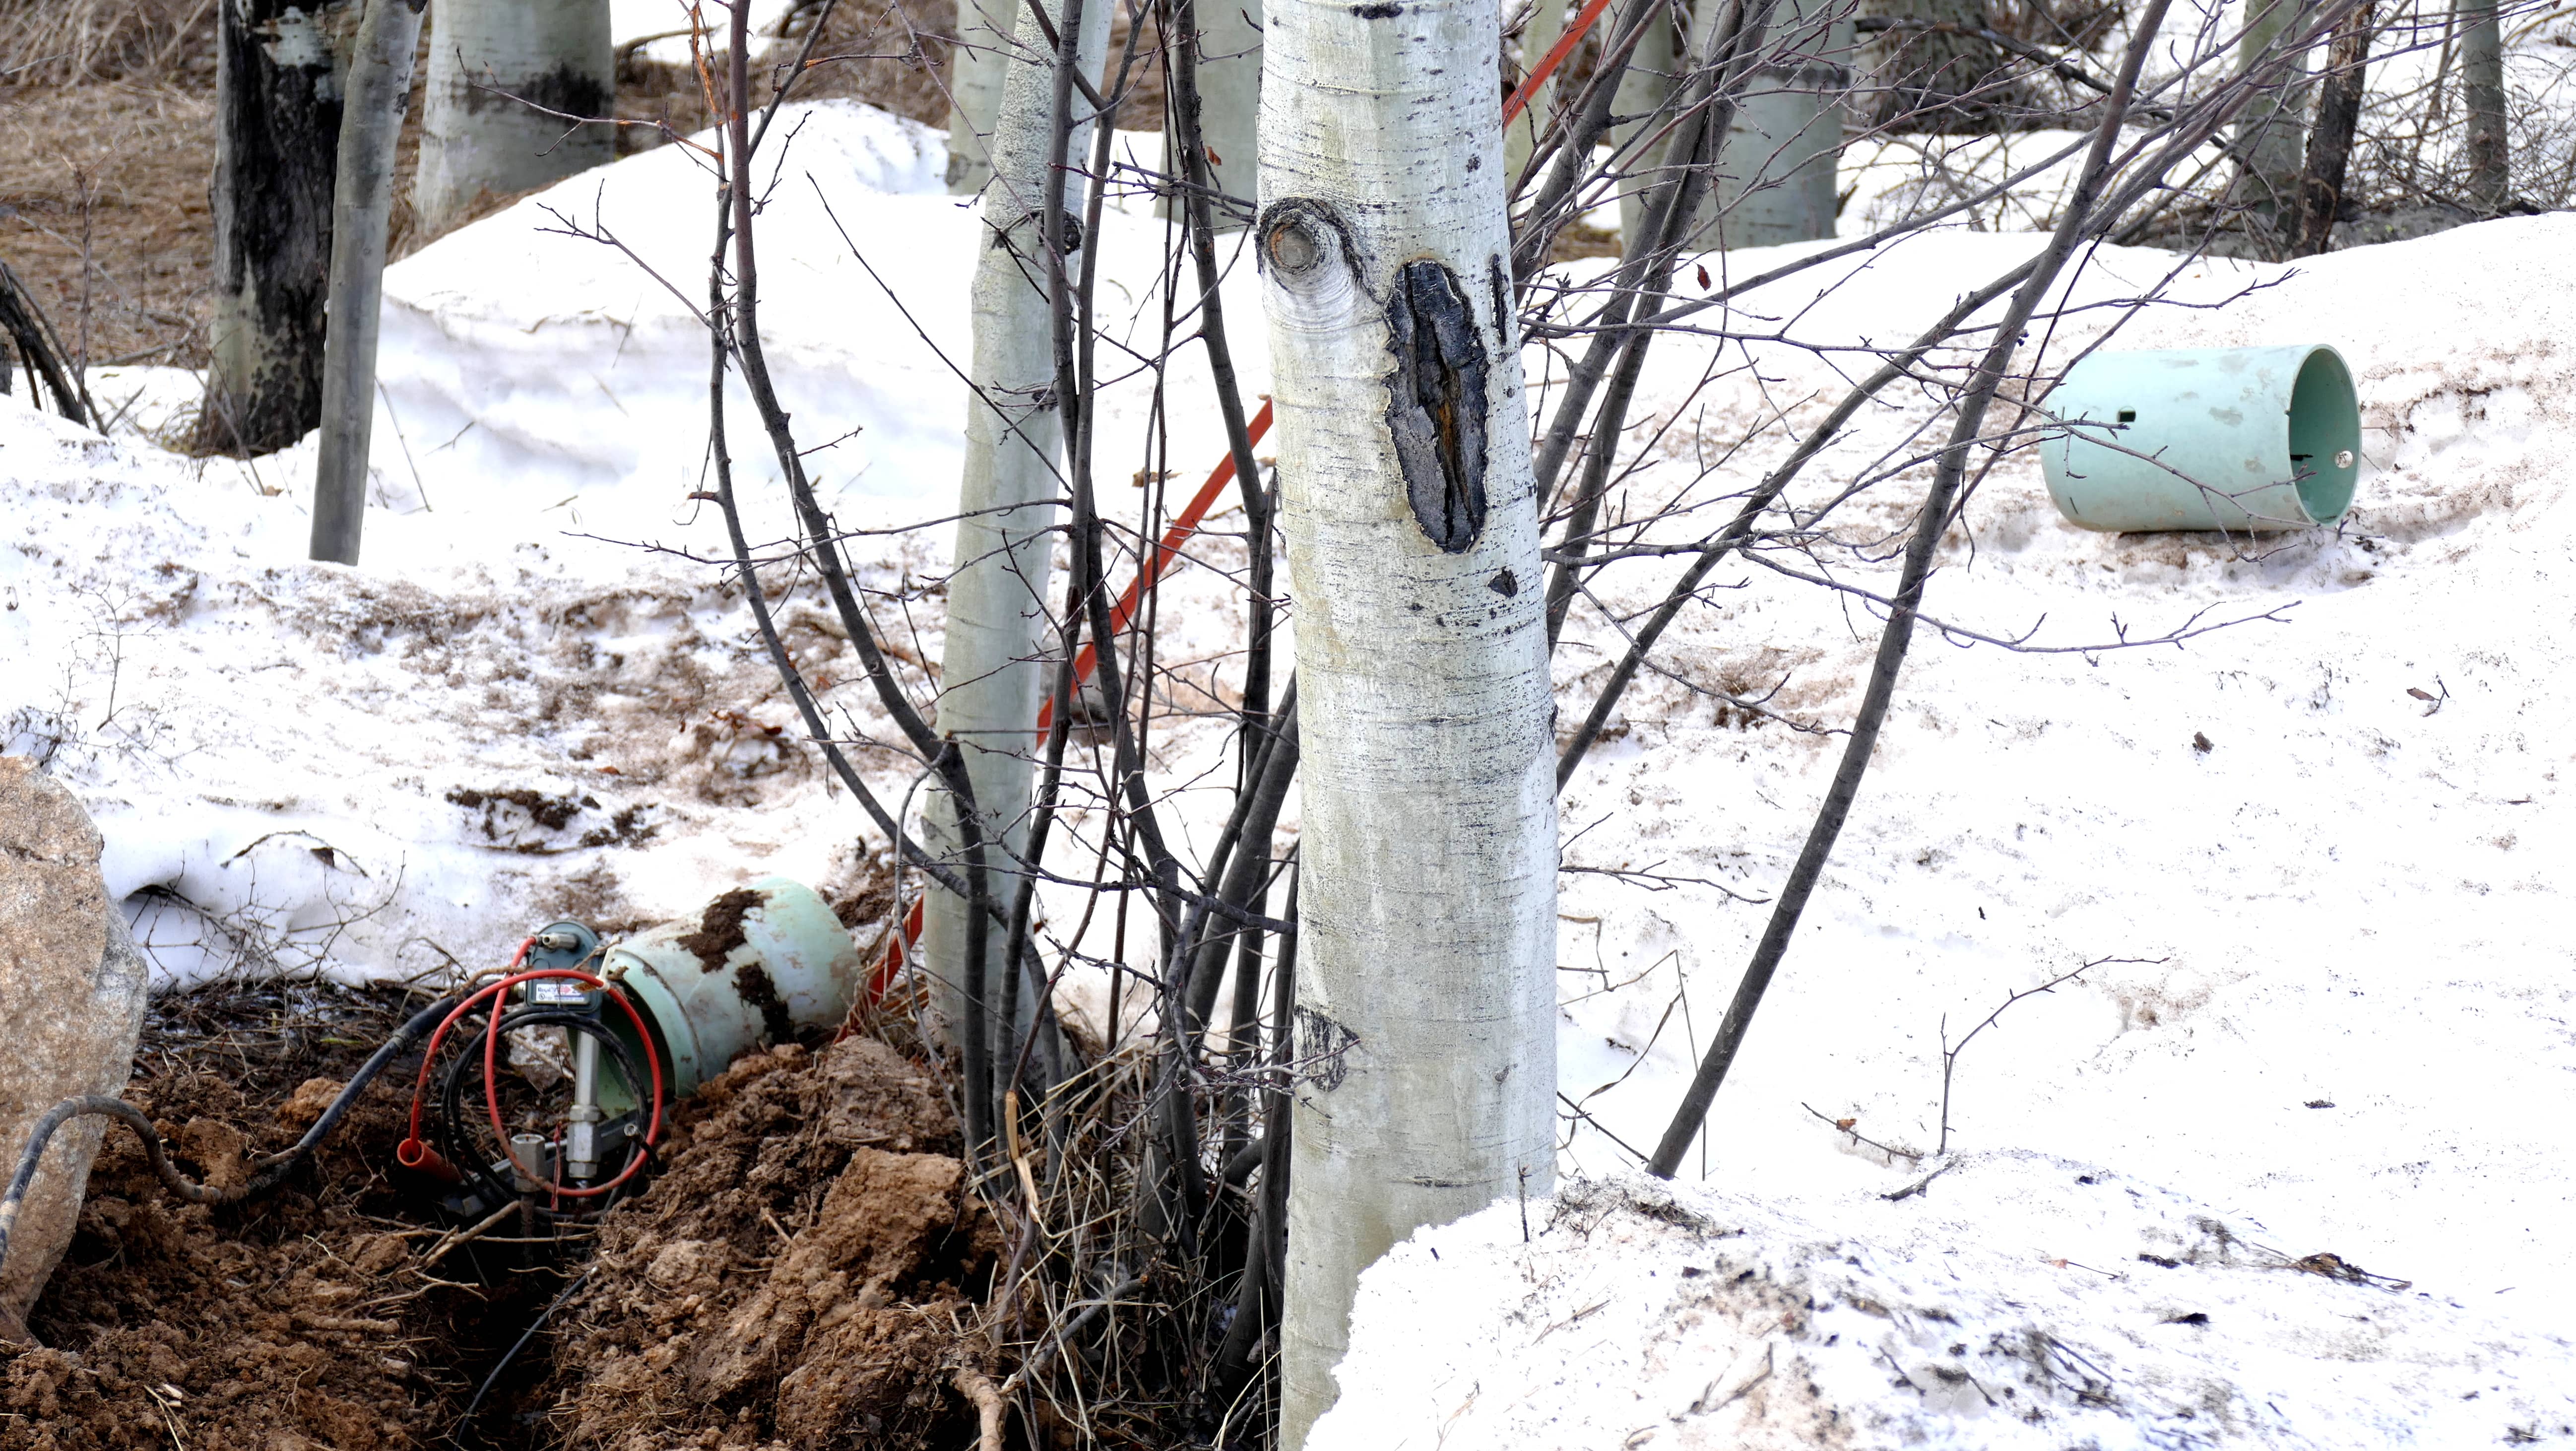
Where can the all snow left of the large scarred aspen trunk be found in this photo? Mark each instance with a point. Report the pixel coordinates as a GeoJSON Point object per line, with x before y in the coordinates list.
{"type": "Point", "coordinates": [537, 695]}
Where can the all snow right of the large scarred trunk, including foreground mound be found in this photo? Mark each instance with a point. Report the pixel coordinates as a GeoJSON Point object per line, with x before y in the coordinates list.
{"type": "Point", "coordinates": [2320, 854]}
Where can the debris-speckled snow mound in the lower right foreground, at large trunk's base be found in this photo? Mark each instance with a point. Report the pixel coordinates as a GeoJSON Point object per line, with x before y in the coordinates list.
{"type": "Point", "coordinates": [2013, 1303]}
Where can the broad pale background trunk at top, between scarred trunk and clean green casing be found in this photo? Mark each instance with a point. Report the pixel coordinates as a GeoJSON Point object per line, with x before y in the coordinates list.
{"type": "Point", "coordinates": [1776, 171]}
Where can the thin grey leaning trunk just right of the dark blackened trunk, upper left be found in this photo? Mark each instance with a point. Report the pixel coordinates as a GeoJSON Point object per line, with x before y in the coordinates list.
{"type": "Point", "coordinates": [380, 89]}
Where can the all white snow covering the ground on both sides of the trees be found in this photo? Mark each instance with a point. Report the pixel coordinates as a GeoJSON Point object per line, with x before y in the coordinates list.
{"type": "Point", "coordinates": [2340, 1004]}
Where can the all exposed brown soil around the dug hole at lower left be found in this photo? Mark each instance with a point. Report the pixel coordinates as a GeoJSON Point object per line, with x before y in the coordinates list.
{"type": "Point", "coordinates": [797, 1274]}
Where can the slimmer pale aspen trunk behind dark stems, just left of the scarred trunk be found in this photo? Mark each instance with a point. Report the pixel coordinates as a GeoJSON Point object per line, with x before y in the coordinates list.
{"type": "Point", "coordinates": [993, 671]}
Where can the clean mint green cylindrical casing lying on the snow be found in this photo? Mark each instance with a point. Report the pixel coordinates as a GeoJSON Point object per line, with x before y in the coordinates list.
{"type": "Point", "coordinates": [2237, 439]}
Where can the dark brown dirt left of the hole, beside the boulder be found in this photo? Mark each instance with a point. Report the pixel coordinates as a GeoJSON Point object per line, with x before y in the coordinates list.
{"type": "Point", "coordinates": [274, 1326]}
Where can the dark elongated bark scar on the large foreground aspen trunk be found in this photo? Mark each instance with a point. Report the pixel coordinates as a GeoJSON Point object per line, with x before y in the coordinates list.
{"type": "Point", "coordinates": [1439, 398]}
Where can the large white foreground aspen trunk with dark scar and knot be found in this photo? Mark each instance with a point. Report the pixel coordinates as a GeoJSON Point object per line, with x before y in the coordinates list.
{"type": "Point", "coordinates": [1426, 991]}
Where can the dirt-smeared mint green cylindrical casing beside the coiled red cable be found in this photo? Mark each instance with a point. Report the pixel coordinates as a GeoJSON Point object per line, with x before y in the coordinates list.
{"type": "Point", "coordinates": [756, 968]}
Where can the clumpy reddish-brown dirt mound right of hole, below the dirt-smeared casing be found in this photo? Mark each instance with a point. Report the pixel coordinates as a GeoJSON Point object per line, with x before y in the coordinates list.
{"type": "Point", "coordinates": [802, 1272]}
